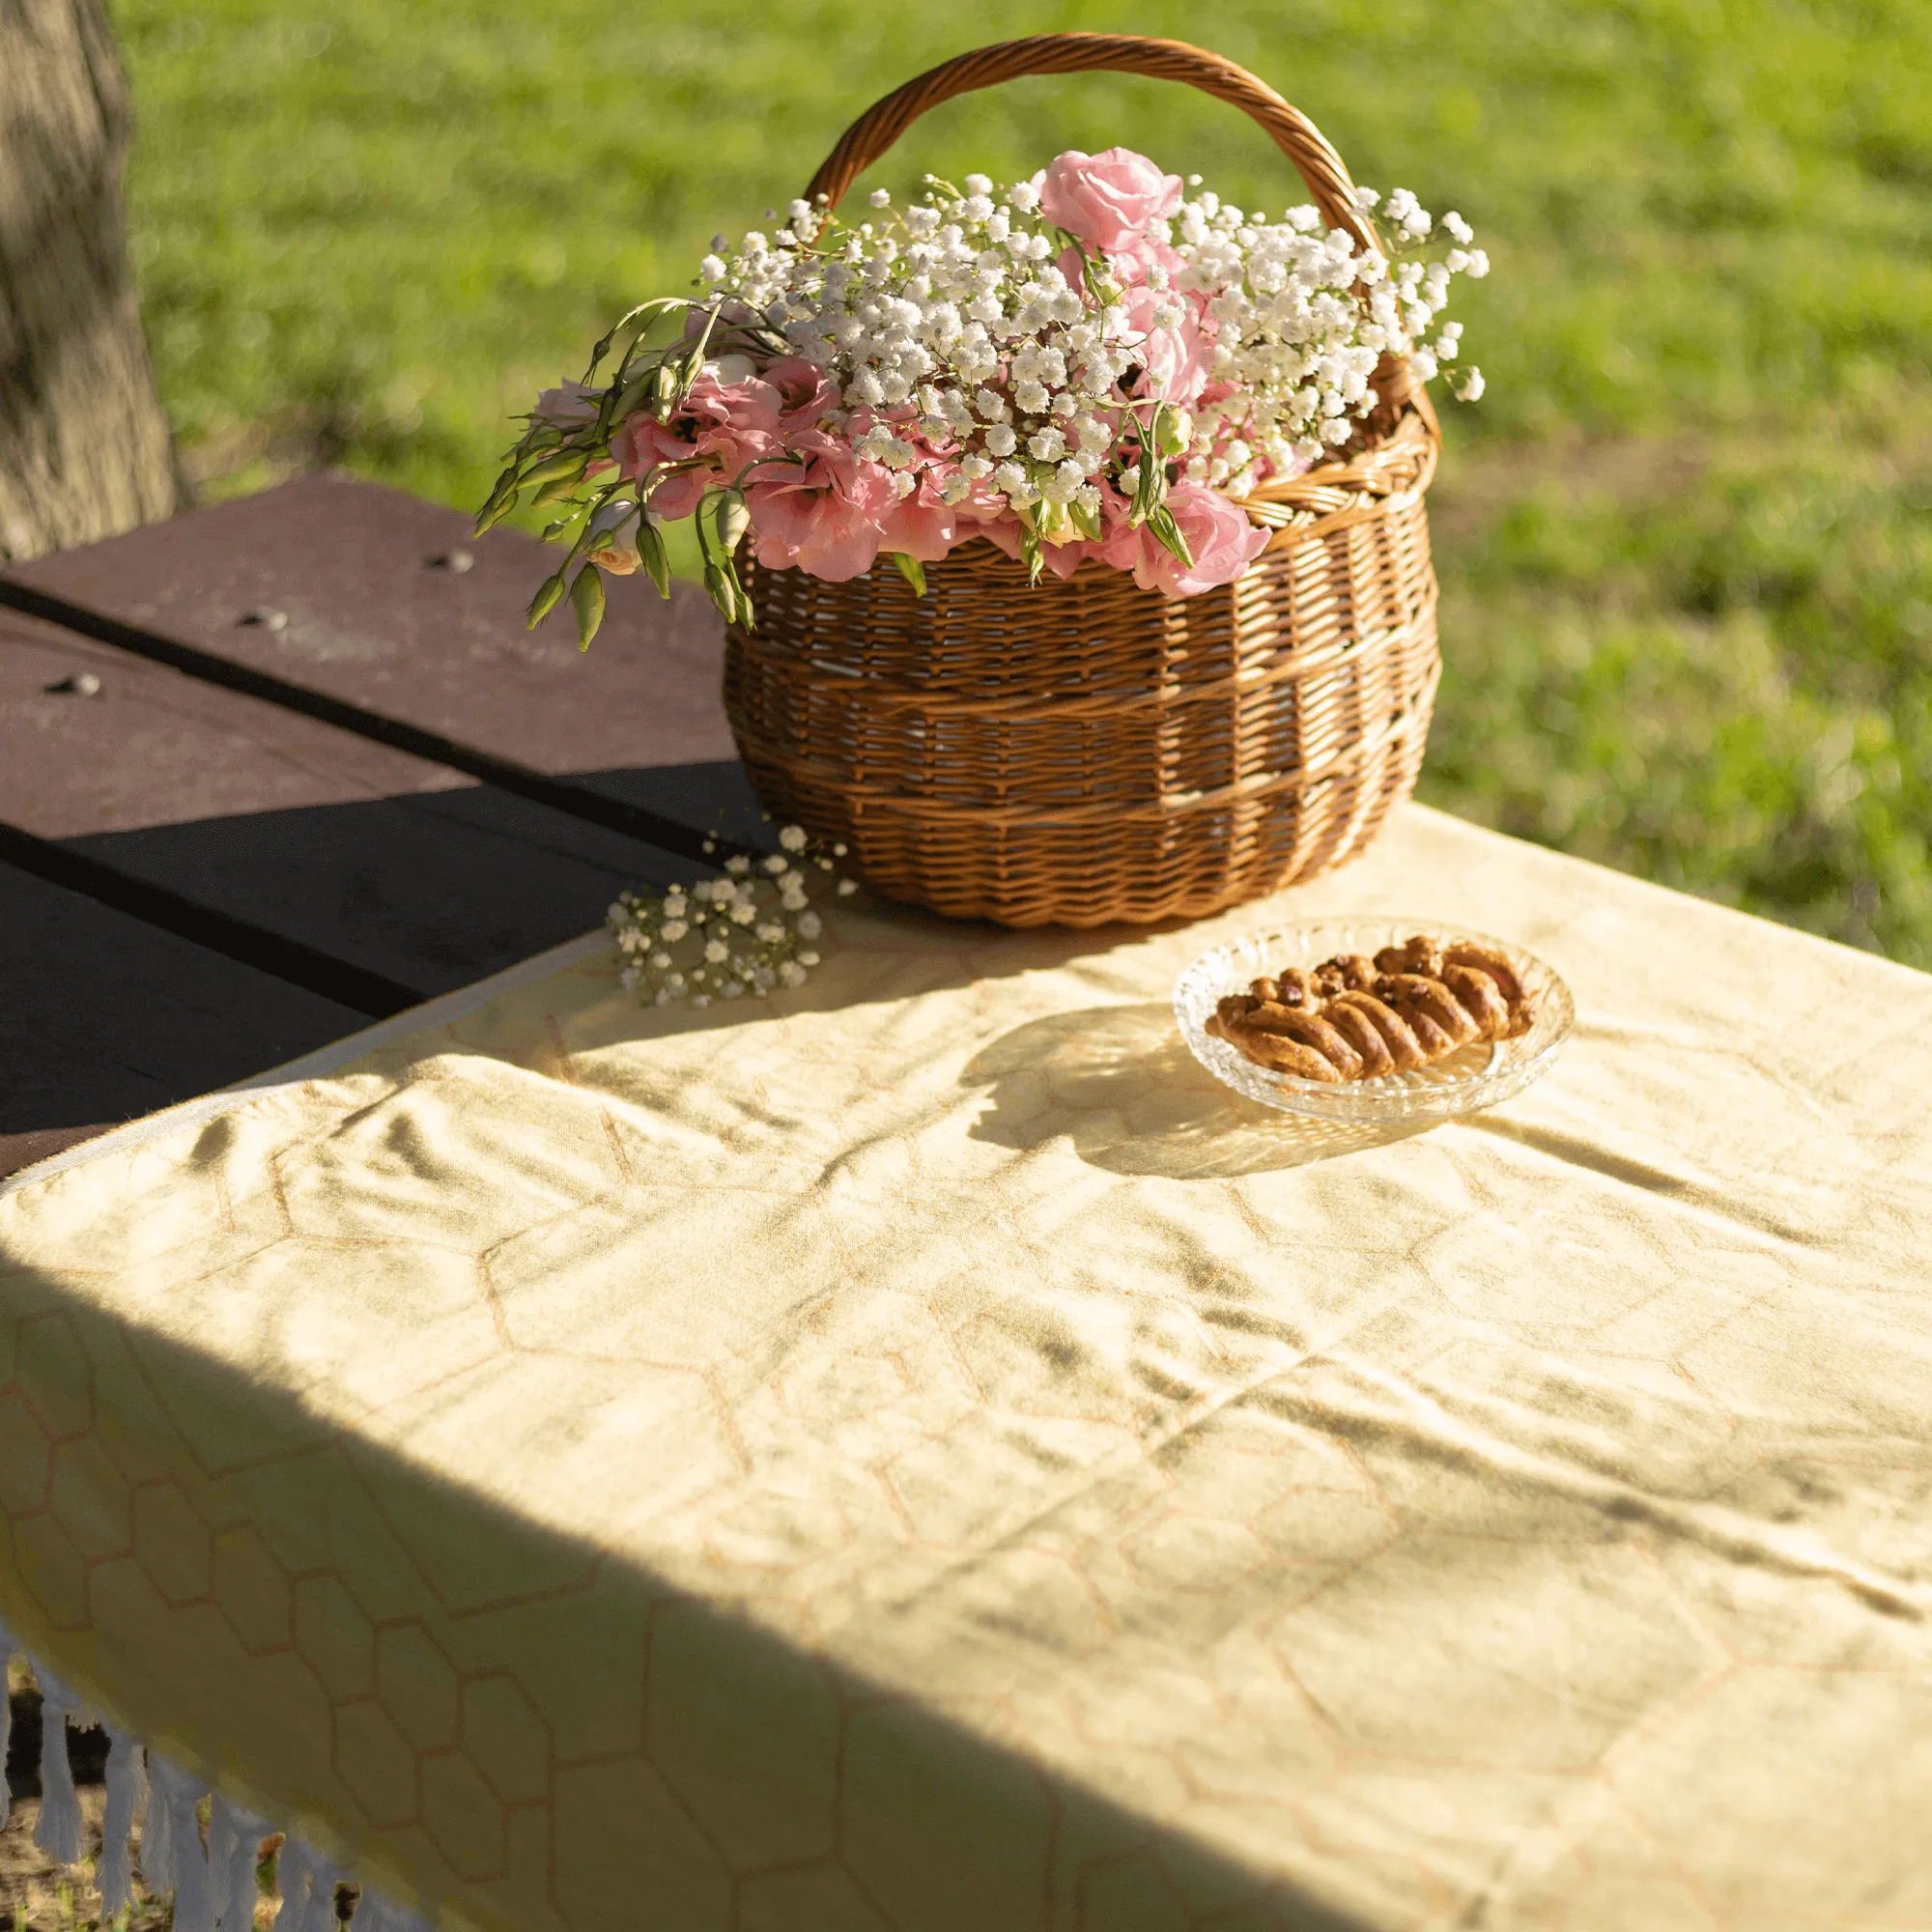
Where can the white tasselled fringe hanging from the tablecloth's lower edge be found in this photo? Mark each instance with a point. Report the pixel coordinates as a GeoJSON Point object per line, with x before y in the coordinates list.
{"type": "Point", "coordinates": [215, 1889]}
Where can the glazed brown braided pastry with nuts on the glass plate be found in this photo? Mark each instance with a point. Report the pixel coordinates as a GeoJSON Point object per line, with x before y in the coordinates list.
{"type": "Point", "coordinates": [1353, 1019]}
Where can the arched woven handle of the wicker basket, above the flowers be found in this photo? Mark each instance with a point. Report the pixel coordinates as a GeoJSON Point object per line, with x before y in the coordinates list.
{"type": "Point", "coordinates": [1118, 53]}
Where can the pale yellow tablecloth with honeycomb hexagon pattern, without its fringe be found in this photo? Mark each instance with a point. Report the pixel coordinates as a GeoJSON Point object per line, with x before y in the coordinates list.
{"type": "Point", "coordinates": [921, 1456]}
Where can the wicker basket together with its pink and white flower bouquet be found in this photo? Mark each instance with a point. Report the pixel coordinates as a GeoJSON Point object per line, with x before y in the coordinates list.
{"type": "Point", "coordinates": [897, 438]}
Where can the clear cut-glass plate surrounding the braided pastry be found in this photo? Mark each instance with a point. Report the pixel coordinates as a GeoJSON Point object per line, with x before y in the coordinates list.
{"type": "Point", "coordinates": [1479, 1075]}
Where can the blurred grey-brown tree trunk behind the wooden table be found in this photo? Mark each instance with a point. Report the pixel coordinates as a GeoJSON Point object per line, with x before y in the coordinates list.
{"type": "Point", "coordinates": [84, 447]}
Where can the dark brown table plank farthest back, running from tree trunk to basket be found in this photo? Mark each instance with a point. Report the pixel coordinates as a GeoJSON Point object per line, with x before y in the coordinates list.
{"type": "Point", "coordinates": [360, 606]}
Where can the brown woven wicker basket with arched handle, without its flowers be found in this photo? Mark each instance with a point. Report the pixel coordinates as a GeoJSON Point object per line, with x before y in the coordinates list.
{"type": "Point", "coordinates": [1081, 751]}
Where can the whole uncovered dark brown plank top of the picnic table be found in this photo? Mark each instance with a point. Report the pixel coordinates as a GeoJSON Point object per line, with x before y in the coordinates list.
{"type": "Point", "coordinates": [293, 764]}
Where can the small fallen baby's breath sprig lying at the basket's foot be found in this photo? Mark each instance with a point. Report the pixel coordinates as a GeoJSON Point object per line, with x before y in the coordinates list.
{"type": "Point", "coordinates": [741, 936]}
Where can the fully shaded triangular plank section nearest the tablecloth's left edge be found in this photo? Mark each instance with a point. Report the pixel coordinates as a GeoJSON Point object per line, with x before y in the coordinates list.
{"type": "Point", "coordinates": [105, 1019]}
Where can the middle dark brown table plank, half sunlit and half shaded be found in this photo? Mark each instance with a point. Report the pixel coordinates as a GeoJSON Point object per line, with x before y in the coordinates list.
{"type": "Point", "coordinates": [264, 822]}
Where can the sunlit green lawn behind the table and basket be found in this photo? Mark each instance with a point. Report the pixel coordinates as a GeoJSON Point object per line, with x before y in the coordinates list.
{"type": "Point", "coordinates": [1686, 542]}
